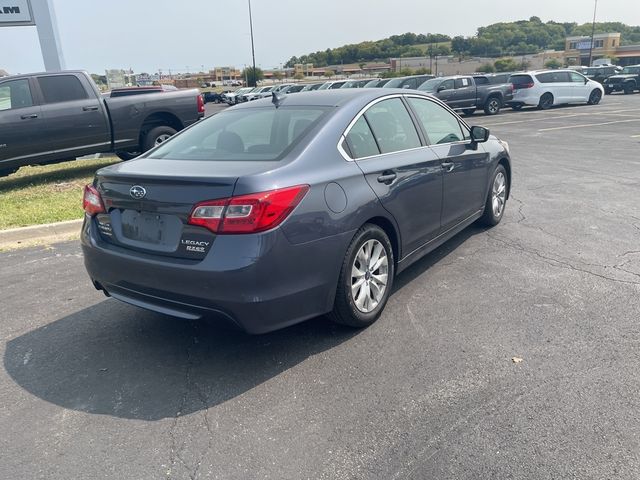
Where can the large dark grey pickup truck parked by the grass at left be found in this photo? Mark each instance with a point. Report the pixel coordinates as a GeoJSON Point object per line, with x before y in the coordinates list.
{"type": "Point", "coordinates": [53, 117]}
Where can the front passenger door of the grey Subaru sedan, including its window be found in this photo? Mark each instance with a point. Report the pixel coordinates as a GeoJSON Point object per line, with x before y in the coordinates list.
{"type": "Point", "coordinates": [465, 171]}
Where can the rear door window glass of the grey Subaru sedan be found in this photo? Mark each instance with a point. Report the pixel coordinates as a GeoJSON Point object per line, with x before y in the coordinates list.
{"type": "Point", "coordinates": [392, 126]}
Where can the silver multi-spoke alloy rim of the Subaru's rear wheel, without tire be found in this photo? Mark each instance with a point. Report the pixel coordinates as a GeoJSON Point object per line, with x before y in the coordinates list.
{"type": "Point", "coordinates": [369, 276]}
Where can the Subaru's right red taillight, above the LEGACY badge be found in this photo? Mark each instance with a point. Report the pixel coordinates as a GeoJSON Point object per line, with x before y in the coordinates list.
{"type": "Point", "coordinates": [253, 213]}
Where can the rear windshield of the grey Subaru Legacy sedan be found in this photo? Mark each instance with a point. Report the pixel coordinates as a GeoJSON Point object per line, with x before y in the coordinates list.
{"type": "Point", "coordinates": [250, 134]}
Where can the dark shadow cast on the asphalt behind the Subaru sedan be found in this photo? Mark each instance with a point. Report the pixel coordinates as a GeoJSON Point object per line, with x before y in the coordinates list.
{"type": "Point", "coordinates": [113, 359]}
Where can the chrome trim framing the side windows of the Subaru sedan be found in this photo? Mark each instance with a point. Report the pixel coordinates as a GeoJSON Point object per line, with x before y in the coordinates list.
{"type": "Point", "coordinates": [423, 136]}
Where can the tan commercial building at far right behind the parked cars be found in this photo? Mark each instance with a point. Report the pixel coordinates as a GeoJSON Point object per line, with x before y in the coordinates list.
{"type": "Point", "coordinates": [605, 46]}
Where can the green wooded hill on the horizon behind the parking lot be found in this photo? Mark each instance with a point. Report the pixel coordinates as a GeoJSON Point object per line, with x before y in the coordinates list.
{"type": "Point", "coordinates": [496, 40]}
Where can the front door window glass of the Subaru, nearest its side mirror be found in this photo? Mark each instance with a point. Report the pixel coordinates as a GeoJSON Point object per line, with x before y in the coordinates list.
{"type": "Point", "coordinates": [440, 125]}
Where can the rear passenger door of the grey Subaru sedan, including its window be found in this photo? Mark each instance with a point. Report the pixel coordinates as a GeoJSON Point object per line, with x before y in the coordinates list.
{"type": "Point", "coordinates": [405, 175]}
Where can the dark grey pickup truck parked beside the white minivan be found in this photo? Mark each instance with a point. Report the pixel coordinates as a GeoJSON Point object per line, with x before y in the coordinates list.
{"type": "Point", "coordinates": [462, 93]}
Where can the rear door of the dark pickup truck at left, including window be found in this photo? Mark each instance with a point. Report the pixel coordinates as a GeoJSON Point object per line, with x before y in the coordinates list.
{"type": "Point", "coordinates": [74, 121]}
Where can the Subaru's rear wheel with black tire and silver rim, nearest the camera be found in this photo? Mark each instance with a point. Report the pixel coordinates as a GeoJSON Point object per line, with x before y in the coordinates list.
{"type": "Point", "coordinates": [366, 278]}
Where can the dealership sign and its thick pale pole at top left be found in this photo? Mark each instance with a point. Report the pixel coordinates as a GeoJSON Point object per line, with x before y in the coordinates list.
{"type": "Point", "coordinates": [17, 13]}
